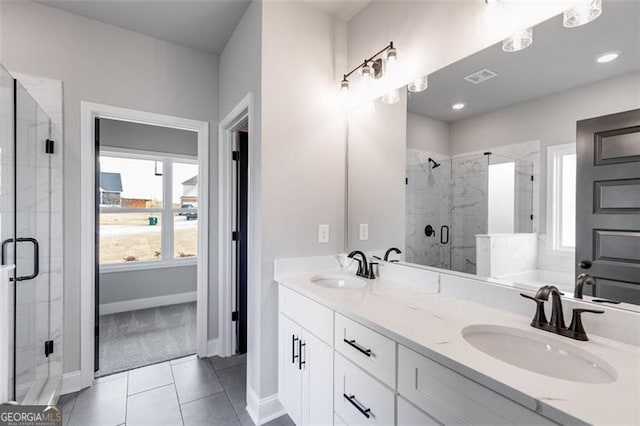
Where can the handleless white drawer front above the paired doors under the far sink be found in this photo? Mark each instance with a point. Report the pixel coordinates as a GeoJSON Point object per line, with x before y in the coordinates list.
{"type": "Point", "coordinates": [316, 318]}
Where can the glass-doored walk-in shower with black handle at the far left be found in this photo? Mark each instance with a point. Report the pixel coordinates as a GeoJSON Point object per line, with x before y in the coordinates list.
{"type": "Point", "coordinates": [26, 153]}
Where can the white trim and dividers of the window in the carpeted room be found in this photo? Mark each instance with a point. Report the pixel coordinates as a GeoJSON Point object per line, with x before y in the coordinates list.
{"type": "Point", "coordinates": [166, 211]}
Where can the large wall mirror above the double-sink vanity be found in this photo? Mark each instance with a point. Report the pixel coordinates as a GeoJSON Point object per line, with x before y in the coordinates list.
{"type": "Point", "coordinates": [479, 173]}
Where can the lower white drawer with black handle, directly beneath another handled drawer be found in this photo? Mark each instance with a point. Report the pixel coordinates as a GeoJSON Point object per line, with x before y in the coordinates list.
{"type": "Point", "coordinates": [359, 399]}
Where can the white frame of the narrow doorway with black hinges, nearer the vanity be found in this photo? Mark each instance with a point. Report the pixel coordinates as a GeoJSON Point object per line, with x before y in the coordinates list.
{"type": "Point", "coordinates": [229, 125]}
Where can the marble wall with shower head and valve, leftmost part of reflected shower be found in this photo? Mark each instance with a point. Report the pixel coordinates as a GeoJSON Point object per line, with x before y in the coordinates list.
{"type": "Point", "coordinates": [428, 202]}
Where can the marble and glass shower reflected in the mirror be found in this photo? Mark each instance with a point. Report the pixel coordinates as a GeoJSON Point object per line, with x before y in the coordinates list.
{"type": "Point", "coordinates": [449, 201]}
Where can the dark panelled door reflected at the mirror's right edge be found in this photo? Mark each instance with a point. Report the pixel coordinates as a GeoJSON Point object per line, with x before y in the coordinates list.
{"type": "Point", "coordinates": [608, 205]}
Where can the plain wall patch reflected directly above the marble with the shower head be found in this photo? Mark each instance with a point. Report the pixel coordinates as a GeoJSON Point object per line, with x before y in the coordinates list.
{"type": "Point", "coordinates": [428, 134]}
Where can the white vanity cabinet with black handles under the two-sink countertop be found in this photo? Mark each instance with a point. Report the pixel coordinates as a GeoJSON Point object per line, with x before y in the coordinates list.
{"type": "Point", "coordinates": [334, 370]}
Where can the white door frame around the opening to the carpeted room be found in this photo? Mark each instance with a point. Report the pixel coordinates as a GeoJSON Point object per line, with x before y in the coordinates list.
{"type": "Point", "coordinates": [89, 112]}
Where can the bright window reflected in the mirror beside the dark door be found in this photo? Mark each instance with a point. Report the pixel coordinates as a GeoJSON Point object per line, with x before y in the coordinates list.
{"type": "Point", "coordinates": [561, 194]}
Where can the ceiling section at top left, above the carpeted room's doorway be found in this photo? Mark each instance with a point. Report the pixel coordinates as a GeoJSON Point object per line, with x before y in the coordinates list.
{"type": "Point", "coordinates": [200, 24]}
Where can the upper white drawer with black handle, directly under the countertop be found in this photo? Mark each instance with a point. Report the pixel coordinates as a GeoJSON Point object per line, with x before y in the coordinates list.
{"type": "Point", "coordinates": [369, 350]}
